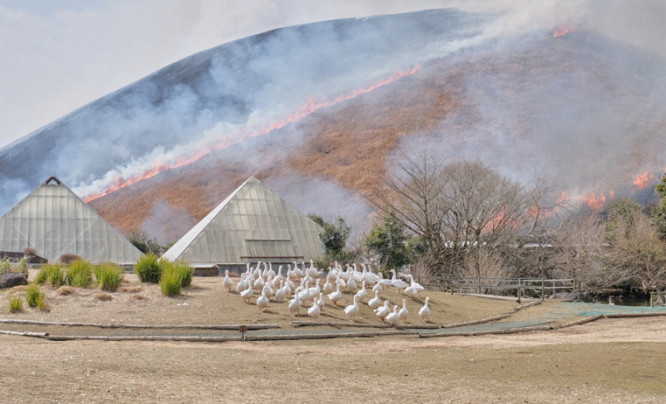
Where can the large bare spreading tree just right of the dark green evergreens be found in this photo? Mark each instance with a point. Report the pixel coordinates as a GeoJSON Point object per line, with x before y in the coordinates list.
{"type": "Point", "coordinates": [458, 209]}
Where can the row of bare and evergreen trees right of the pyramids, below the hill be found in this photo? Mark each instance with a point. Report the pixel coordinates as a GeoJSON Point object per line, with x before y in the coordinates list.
{"type": "Point", "coordinates": [466, 220]}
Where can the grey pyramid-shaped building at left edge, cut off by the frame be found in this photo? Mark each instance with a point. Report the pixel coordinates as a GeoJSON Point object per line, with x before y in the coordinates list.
{"type": "Point", "coordinates": [53, 221]}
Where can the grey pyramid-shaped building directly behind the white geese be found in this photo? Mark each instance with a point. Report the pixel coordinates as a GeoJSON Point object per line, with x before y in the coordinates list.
{"type": "Point", "coordinates": [252, 224]}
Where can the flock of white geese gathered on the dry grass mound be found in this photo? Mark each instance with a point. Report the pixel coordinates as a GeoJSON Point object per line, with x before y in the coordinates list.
{"type": "Point", "coordinates": [269, 286]}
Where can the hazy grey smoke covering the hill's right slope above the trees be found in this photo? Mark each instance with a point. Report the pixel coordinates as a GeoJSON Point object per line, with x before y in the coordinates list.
{"type": "Point", "coordinates": [583, 111]}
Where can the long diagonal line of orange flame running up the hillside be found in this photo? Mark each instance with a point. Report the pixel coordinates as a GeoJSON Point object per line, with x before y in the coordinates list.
{"type": "Point", "coordinates": [306, 109]}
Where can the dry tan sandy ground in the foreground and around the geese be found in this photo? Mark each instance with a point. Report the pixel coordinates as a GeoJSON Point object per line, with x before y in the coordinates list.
{"type": "Point", "coordinates": [619, 360]}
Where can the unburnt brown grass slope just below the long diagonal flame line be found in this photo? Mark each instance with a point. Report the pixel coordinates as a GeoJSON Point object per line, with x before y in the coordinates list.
{"type": "Point", "coordinates": [348, 144]}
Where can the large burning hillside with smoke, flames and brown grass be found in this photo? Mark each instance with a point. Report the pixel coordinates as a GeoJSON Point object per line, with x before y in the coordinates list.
{"type": "Point", "coordinates": [320, 112]}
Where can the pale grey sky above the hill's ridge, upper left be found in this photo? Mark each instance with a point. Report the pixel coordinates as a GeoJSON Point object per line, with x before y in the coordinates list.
{"type": "Point", "coordinates": [59, 55]}
